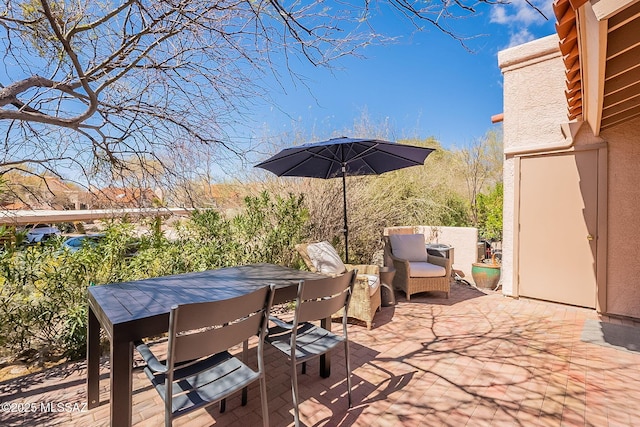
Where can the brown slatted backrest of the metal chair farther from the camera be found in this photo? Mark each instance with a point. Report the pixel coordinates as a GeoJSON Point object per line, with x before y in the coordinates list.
{"type": "Point", "coordinates": [319, 299]}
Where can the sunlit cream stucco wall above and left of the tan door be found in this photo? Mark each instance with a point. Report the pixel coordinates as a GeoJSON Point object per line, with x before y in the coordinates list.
{"type": "Point", "coordinates": [534, 108]}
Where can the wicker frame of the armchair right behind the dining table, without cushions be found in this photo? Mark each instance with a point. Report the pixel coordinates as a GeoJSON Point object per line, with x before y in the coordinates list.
{"type": "Point", "coordinates": [365, 300]}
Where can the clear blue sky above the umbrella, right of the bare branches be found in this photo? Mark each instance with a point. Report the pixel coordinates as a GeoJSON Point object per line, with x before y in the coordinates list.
{"type": "Point", "coordinates": [426, 84]}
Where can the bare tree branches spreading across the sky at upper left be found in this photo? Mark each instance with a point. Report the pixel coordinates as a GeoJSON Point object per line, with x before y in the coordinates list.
{"type": "Point", "coordinates": [92, 85]}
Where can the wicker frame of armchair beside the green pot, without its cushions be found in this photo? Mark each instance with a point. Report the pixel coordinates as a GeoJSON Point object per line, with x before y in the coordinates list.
{"type": "Point", "coordinates": [409, 284]}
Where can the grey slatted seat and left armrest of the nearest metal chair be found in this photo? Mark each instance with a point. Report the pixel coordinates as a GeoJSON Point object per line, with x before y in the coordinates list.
{"type": "Point", "coordinates": [207, 381]}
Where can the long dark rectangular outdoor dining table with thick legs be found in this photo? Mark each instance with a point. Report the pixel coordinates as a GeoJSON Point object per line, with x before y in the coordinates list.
{"type": "Point", "coordinates": [131, 311]}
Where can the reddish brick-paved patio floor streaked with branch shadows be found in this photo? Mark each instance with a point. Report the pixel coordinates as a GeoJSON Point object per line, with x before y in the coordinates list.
{"type": "Point", "coordinates": [477, 358]}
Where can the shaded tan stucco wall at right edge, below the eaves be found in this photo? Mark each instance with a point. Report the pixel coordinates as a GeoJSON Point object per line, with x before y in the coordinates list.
{"type": "Point", "coordinates": [623, 266]}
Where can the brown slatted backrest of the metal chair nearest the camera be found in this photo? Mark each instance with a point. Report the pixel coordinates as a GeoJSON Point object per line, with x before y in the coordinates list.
{"type": "Point", "coordinates": [201, 329]}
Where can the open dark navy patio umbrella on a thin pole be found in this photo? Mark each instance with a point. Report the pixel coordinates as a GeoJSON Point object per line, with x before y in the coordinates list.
{"type": "Point", "coordinates": [344, 156]}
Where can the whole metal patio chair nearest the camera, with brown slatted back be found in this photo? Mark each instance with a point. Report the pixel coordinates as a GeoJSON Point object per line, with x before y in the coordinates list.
{"type": "Point", "coordinates": [199, 370]}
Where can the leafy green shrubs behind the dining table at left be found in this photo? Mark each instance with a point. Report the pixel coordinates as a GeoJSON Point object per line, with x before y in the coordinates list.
{"type": "Point", "coordinates": [43, 289]}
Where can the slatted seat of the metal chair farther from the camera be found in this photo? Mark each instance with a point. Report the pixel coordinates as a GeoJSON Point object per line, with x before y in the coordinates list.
{"type": "Point", "coordinates": [311, 340]}
